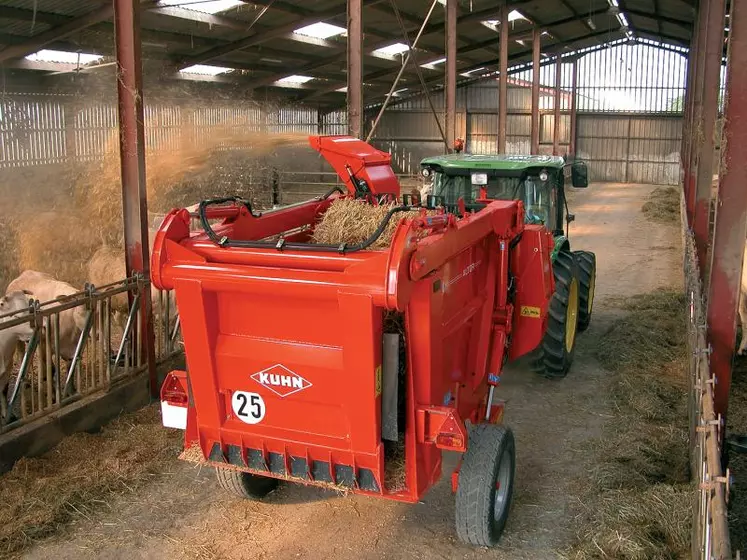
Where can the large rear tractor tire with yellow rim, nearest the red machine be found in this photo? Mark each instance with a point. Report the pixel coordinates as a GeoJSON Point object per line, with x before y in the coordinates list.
{"type": "Point", "coordinates": [554, 356]}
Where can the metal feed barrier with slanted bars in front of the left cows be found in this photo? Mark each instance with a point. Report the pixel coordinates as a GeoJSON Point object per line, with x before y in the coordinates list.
{"type": "Point", "coordinates": [106, 350]}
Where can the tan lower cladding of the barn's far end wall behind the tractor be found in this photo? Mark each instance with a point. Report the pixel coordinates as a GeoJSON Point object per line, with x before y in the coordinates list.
{"type": "Point", "coordinates": [640, 148]}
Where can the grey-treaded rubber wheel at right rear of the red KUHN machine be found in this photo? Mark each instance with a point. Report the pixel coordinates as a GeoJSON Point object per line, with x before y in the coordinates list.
{"type": "Point", "coordinates": [486, 483]}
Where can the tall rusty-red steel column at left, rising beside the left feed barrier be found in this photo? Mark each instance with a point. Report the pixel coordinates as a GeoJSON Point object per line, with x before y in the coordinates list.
{"type": "Point", "coordinates": [132, 155]}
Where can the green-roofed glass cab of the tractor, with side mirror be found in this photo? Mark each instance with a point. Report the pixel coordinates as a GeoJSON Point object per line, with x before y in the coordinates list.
{"type": "Point", "coordinates": [538, 181]}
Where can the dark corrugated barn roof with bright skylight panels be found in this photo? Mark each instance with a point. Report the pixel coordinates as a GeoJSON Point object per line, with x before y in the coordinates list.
{"type": "Point", "coordinates": [571, 24]}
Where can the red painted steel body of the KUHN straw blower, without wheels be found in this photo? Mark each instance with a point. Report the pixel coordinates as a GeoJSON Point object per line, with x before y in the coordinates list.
{"type": "Point", "coordinates": [303, 331]}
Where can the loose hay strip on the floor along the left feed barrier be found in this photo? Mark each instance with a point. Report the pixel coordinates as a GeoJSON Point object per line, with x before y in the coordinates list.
{"type": "Point", "coordinates": [40, 496]}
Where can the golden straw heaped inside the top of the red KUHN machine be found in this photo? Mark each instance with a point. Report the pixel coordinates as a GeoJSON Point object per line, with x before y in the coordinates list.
{"type": "Point", "coordinates": [353, 221]}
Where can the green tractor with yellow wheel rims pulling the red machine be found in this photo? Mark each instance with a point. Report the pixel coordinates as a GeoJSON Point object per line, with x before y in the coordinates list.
{"type": "Point", "coordinates": [539, 182]}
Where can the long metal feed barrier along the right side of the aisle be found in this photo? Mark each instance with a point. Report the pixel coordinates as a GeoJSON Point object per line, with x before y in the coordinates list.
{"type": "Point", "coordinates": [710, 528]}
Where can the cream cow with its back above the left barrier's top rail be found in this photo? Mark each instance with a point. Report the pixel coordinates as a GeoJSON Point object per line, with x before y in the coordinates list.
{"type": "Point", "coordinates": [43, 287]}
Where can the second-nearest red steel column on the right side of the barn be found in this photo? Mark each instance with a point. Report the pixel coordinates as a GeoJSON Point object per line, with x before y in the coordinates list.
{"type": "Point", "coordinates": [714, 47]}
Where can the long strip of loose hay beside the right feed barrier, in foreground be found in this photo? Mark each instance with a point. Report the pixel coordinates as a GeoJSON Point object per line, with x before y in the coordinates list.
{"type": "Point", "coordinates": [639, 503]}
